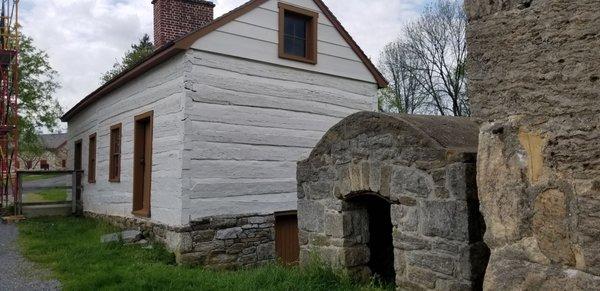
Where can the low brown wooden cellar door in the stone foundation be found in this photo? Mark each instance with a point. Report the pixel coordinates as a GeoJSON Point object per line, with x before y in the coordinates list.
{"type": "Point", "coordinates": [286, 238]}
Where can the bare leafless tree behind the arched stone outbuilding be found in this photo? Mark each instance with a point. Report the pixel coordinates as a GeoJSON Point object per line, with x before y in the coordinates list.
{"type": "Point", "coordinates": [431, 52]}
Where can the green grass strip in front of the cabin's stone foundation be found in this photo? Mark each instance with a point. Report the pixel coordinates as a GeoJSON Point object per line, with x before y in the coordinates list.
{"type": "Point", "coordinates": [71, 248]}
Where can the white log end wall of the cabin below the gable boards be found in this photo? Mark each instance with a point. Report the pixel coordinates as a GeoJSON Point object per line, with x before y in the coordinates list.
{"type": "Point", "coordinates": [247, 123]}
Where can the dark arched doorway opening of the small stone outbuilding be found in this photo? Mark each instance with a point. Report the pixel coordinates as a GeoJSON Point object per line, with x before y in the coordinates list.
{"type": "Point", "coordinates": [381, 244]}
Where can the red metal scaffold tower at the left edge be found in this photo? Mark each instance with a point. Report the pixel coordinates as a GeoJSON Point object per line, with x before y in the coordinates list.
{"type": "Point", "coordinates": [9, 96]}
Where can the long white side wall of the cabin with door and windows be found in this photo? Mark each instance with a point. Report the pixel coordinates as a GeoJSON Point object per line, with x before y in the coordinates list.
{"type": "Point", "coordinates": [160, 90]}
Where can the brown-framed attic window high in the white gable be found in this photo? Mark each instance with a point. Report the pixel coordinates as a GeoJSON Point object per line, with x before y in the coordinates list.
{"type": "Point", "coordinates": [297, 34]}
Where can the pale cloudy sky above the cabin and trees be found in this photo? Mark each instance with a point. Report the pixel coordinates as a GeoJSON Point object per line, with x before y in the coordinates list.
{"type": "Point", "coordinates": [85, 37]}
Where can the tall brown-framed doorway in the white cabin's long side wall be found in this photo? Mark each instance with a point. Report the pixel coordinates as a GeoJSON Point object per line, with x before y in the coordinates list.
{"type": "Point", "coordinates": [142, 164]}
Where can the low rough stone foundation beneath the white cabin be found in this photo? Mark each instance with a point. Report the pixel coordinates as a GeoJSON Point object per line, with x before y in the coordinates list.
{"type": "Point", "coordinates": [224, 242]}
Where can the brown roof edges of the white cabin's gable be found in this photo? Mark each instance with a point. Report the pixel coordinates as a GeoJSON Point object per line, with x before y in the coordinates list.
{"type": "Point", "coordinates": [182, 44]}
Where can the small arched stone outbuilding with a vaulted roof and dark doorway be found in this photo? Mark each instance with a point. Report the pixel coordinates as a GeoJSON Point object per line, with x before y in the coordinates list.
{"type": "Point", "coordinates": [423, 167]}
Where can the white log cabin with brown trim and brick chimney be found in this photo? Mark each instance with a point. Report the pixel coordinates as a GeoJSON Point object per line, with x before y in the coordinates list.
{"type": "Point", "coordinates": [214, 122]}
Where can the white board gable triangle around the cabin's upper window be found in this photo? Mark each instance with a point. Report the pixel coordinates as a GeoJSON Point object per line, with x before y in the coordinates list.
{"type": "Point", "coordinates": [254, 36]}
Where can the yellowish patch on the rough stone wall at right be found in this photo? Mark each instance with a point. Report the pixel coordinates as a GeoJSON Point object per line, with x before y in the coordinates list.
{"type": "Point", "coordinates": [533, 144]}
